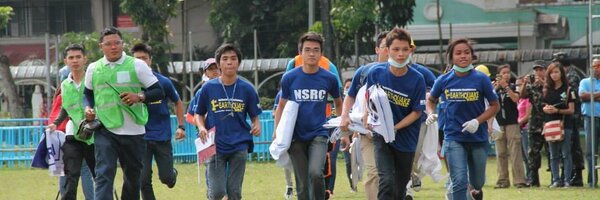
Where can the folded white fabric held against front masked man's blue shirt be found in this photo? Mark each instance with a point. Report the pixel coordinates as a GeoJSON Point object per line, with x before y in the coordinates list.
{"type": "Point", "coordinates": [380, 114]}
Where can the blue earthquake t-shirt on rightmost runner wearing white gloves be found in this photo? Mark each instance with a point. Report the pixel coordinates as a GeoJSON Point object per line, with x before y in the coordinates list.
{"type": "Point", "coordinates": [465, 100]}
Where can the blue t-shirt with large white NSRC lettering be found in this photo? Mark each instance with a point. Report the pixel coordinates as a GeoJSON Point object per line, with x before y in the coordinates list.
{"type": "Point", "coordinates": [310, 92]}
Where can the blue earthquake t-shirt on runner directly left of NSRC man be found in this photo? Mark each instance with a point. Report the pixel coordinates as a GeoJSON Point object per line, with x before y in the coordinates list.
{"type": "Point", "coordinates": [232, 131]}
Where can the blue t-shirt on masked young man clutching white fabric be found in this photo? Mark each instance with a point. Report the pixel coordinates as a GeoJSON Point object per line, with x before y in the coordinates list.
{"type": "Point", "coordinates": [405, 94]}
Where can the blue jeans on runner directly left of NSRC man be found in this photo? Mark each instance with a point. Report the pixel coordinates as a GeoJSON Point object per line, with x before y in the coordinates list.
{"type": "Point", "coordinates": [226, 175]}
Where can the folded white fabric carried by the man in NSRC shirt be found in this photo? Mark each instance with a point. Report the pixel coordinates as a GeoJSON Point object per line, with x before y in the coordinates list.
{"type": "Point", "coordinates": [284, 131]}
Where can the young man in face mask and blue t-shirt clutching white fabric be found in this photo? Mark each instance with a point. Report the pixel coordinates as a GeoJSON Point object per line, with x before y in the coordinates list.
{"type": "Point", "coordinates": [405, 89]}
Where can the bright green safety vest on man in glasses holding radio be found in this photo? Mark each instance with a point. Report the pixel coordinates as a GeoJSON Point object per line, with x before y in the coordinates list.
{"type": "Point", "coordinates": [109, 107]}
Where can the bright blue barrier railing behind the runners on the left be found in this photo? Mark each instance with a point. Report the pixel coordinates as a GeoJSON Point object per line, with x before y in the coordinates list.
{"type": "Point", "coordinates": [20, 137]}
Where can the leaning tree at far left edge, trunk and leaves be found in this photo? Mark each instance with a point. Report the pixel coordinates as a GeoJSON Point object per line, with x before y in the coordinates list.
{"type": "Point", "coordinates": [10, 88]}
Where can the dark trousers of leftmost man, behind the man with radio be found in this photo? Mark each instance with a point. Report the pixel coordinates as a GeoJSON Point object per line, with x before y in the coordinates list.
{"type": "Point", "coordinates": [74, 152]}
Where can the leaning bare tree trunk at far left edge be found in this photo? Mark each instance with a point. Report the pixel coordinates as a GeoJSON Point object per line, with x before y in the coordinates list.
{"type": "Point", "coordinates": [10, 89]}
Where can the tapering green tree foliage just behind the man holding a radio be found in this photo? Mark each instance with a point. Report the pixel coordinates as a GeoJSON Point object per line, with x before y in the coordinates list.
{"type": "Point", "coordinates": [153, 16]}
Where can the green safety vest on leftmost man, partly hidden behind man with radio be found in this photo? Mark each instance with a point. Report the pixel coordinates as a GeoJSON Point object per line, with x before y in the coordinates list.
{"type": "Point", "coordinates": [73, 103]}
